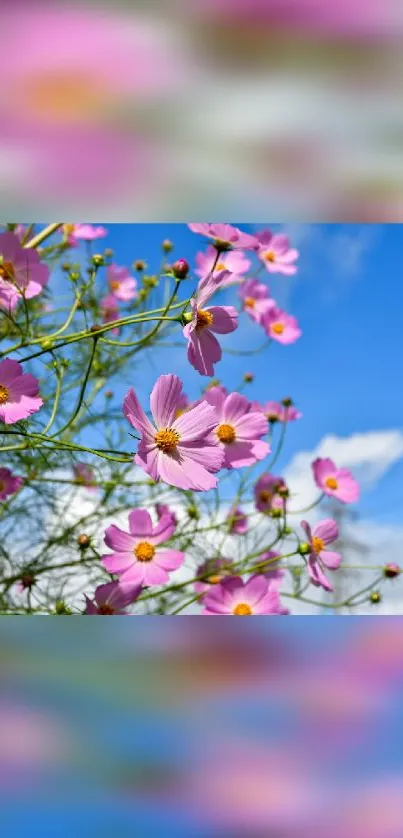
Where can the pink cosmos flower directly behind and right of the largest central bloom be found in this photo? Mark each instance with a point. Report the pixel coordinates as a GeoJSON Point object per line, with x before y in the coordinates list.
{"type": "Point", "coordinates": [238, 430]}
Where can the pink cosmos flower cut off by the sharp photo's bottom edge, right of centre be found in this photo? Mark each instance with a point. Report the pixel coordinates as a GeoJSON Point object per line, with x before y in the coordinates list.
{"type": "Point", "coordinates": [242, 599]}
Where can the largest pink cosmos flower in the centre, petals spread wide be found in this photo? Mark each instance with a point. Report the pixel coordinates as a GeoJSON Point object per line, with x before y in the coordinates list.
{"type": "Point", "coordinates": [177, 450]}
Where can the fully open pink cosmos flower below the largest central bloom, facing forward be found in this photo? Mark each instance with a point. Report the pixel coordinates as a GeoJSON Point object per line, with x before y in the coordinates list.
{"type": "Point", "coordinates": [136, 557]}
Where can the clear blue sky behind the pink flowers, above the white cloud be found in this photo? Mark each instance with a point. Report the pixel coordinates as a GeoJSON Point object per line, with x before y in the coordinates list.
{"type": "Point", "coordinates": [344, 372]}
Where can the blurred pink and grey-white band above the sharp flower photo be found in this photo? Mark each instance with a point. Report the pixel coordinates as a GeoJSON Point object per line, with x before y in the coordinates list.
{"type": "Point", "coordinates": [249, 108]}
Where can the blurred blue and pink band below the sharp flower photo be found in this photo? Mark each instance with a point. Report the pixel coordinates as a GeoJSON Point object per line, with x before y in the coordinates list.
{"type": "Point", "coordinates": [254, 730]}
